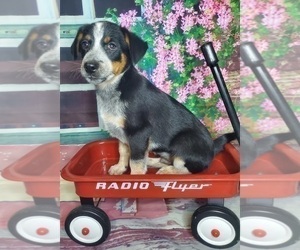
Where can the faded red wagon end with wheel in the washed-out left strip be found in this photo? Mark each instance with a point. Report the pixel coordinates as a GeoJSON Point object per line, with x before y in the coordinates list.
{"type": "Point", "coordinates": [39, 170]}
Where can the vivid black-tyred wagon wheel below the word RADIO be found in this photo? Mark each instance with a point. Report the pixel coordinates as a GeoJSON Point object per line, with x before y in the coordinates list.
{"type": "Point", "coordinates": [87, 225]}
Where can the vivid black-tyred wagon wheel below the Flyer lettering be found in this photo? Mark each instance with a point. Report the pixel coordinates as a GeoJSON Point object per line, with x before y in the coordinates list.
{"type": "Point", "coordinates": [215, 226]}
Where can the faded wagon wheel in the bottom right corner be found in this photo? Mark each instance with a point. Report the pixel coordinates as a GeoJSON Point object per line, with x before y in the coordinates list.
{"type": "Point", "coordinates": [268, 227]}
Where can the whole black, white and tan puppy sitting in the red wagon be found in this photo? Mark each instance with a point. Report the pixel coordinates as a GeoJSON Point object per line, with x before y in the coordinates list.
{"type": "Point", "coordinates": [137, 113]}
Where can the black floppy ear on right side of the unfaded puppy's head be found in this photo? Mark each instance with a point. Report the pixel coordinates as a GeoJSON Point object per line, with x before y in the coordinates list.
{"type": "Point", "coordinates": [137, 46]}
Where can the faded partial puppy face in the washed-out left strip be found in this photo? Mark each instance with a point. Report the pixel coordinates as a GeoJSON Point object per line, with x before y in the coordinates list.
{"type": "Point", "coordinates": [42, 43]}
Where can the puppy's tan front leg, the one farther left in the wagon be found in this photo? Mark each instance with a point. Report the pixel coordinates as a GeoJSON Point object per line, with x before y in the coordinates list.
{"type": "Point", "coordinates": [122, 165]}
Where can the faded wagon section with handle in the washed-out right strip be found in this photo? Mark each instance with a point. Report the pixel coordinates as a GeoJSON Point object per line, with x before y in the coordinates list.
{"type": "Point", "coordinates": [274, 174]}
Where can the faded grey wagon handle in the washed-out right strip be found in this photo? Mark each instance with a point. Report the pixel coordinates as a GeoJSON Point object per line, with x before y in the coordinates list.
{"type": "Point", "coordinates": [254, 60]}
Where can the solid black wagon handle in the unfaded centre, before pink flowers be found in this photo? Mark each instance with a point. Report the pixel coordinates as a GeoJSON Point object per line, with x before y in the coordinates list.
{"type": "Point", "coordinates": [212, 61]}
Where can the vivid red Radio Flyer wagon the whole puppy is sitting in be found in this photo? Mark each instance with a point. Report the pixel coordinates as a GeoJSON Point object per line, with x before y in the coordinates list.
{"type": "Point", "coordinates": [213, 224]}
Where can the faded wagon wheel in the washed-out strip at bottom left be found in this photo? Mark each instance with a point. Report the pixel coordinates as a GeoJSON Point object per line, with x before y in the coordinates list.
{"type": "Point", "coordinates": [38, 225]}
